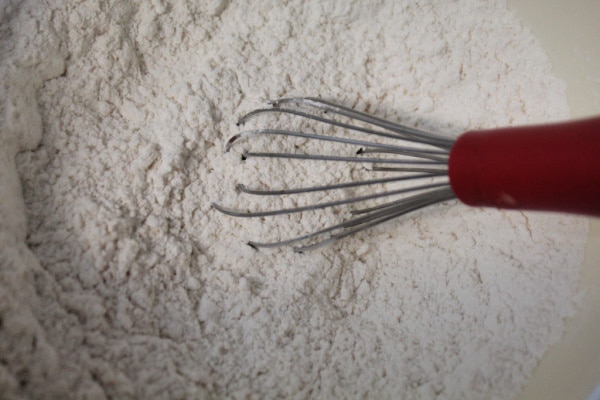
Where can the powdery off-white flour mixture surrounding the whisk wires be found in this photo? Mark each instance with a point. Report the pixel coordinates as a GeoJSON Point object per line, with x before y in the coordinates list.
{"type": "Point", "coordinates": [117, 278]}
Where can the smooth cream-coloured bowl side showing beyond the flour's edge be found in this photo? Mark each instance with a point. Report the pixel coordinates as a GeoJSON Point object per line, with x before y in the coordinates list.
{"type": "Point", "coordinates": [569, 31]}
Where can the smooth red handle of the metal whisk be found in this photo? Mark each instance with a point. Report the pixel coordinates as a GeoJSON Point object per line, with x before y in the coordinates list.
{"type": "Point", "coordinates": [553, 167]}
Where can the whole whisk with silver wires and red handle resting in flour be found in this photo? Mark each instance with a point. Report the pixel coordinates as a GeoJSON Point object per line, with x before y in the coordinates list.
{"type": "Point", "coordinates": [552, 167]}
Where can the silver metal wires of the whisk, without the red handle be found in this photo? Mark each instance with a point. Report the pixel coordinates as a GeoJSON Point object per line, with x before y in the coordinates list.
{"type": "Point", "coordinates": [413, 156]}
